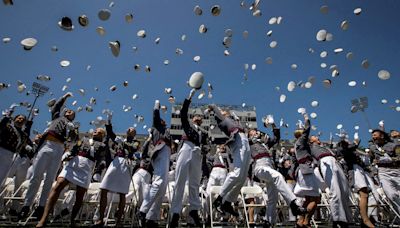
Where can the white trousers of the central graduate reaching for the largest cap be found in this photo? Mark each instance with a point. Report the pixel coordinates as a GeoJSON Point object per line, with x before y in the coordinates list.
{"type": "Point", "coordinates": [188, 168]}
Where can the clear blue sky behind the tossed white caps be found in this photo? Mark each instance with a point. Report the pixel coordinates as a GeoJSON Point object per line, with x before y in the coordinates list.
{"type": "Point", "coordinates": [372, 35]}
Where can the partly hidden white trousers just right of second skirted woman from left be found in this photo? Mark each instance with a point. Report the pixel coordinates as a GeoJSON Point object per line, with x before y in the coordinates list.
{"type": "Point", "coordinates": [141, 184]}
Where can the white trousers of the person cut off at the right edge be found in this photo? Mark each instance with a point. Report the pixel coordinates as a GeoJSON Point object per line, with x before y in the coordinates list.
{"type": "Point", "coordinates": [390, 181]}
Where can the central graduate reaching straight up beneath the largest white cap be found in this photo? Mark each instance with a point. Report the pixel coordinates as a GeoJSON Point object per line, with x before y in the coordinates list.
{"type": "Point", "coordinates": [188, 168]}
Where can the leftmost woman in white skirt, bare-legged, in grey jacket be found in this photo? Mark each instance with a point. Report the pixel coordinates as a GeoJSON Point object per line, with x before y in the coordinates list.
{"type": "Point", "coordinates": [81, 163]}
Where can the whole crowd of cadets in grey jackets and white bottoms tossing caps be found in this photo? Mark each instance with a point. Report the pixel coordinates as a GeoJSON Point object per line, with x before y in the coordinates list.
{"type": "Point", "coordinates": [249, 157]}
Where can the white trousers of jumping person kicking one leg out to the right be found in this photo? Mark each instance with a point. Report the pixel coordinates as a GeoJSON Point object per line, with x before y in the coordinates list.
{"type": "Point", "coordinates": [275, 184]}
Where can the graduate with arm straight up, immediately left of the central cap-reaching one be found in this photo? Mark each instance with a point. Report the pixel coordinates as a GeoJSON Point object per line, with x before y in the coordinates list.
{"type": "Point", "coordinates": [159, 152]}
